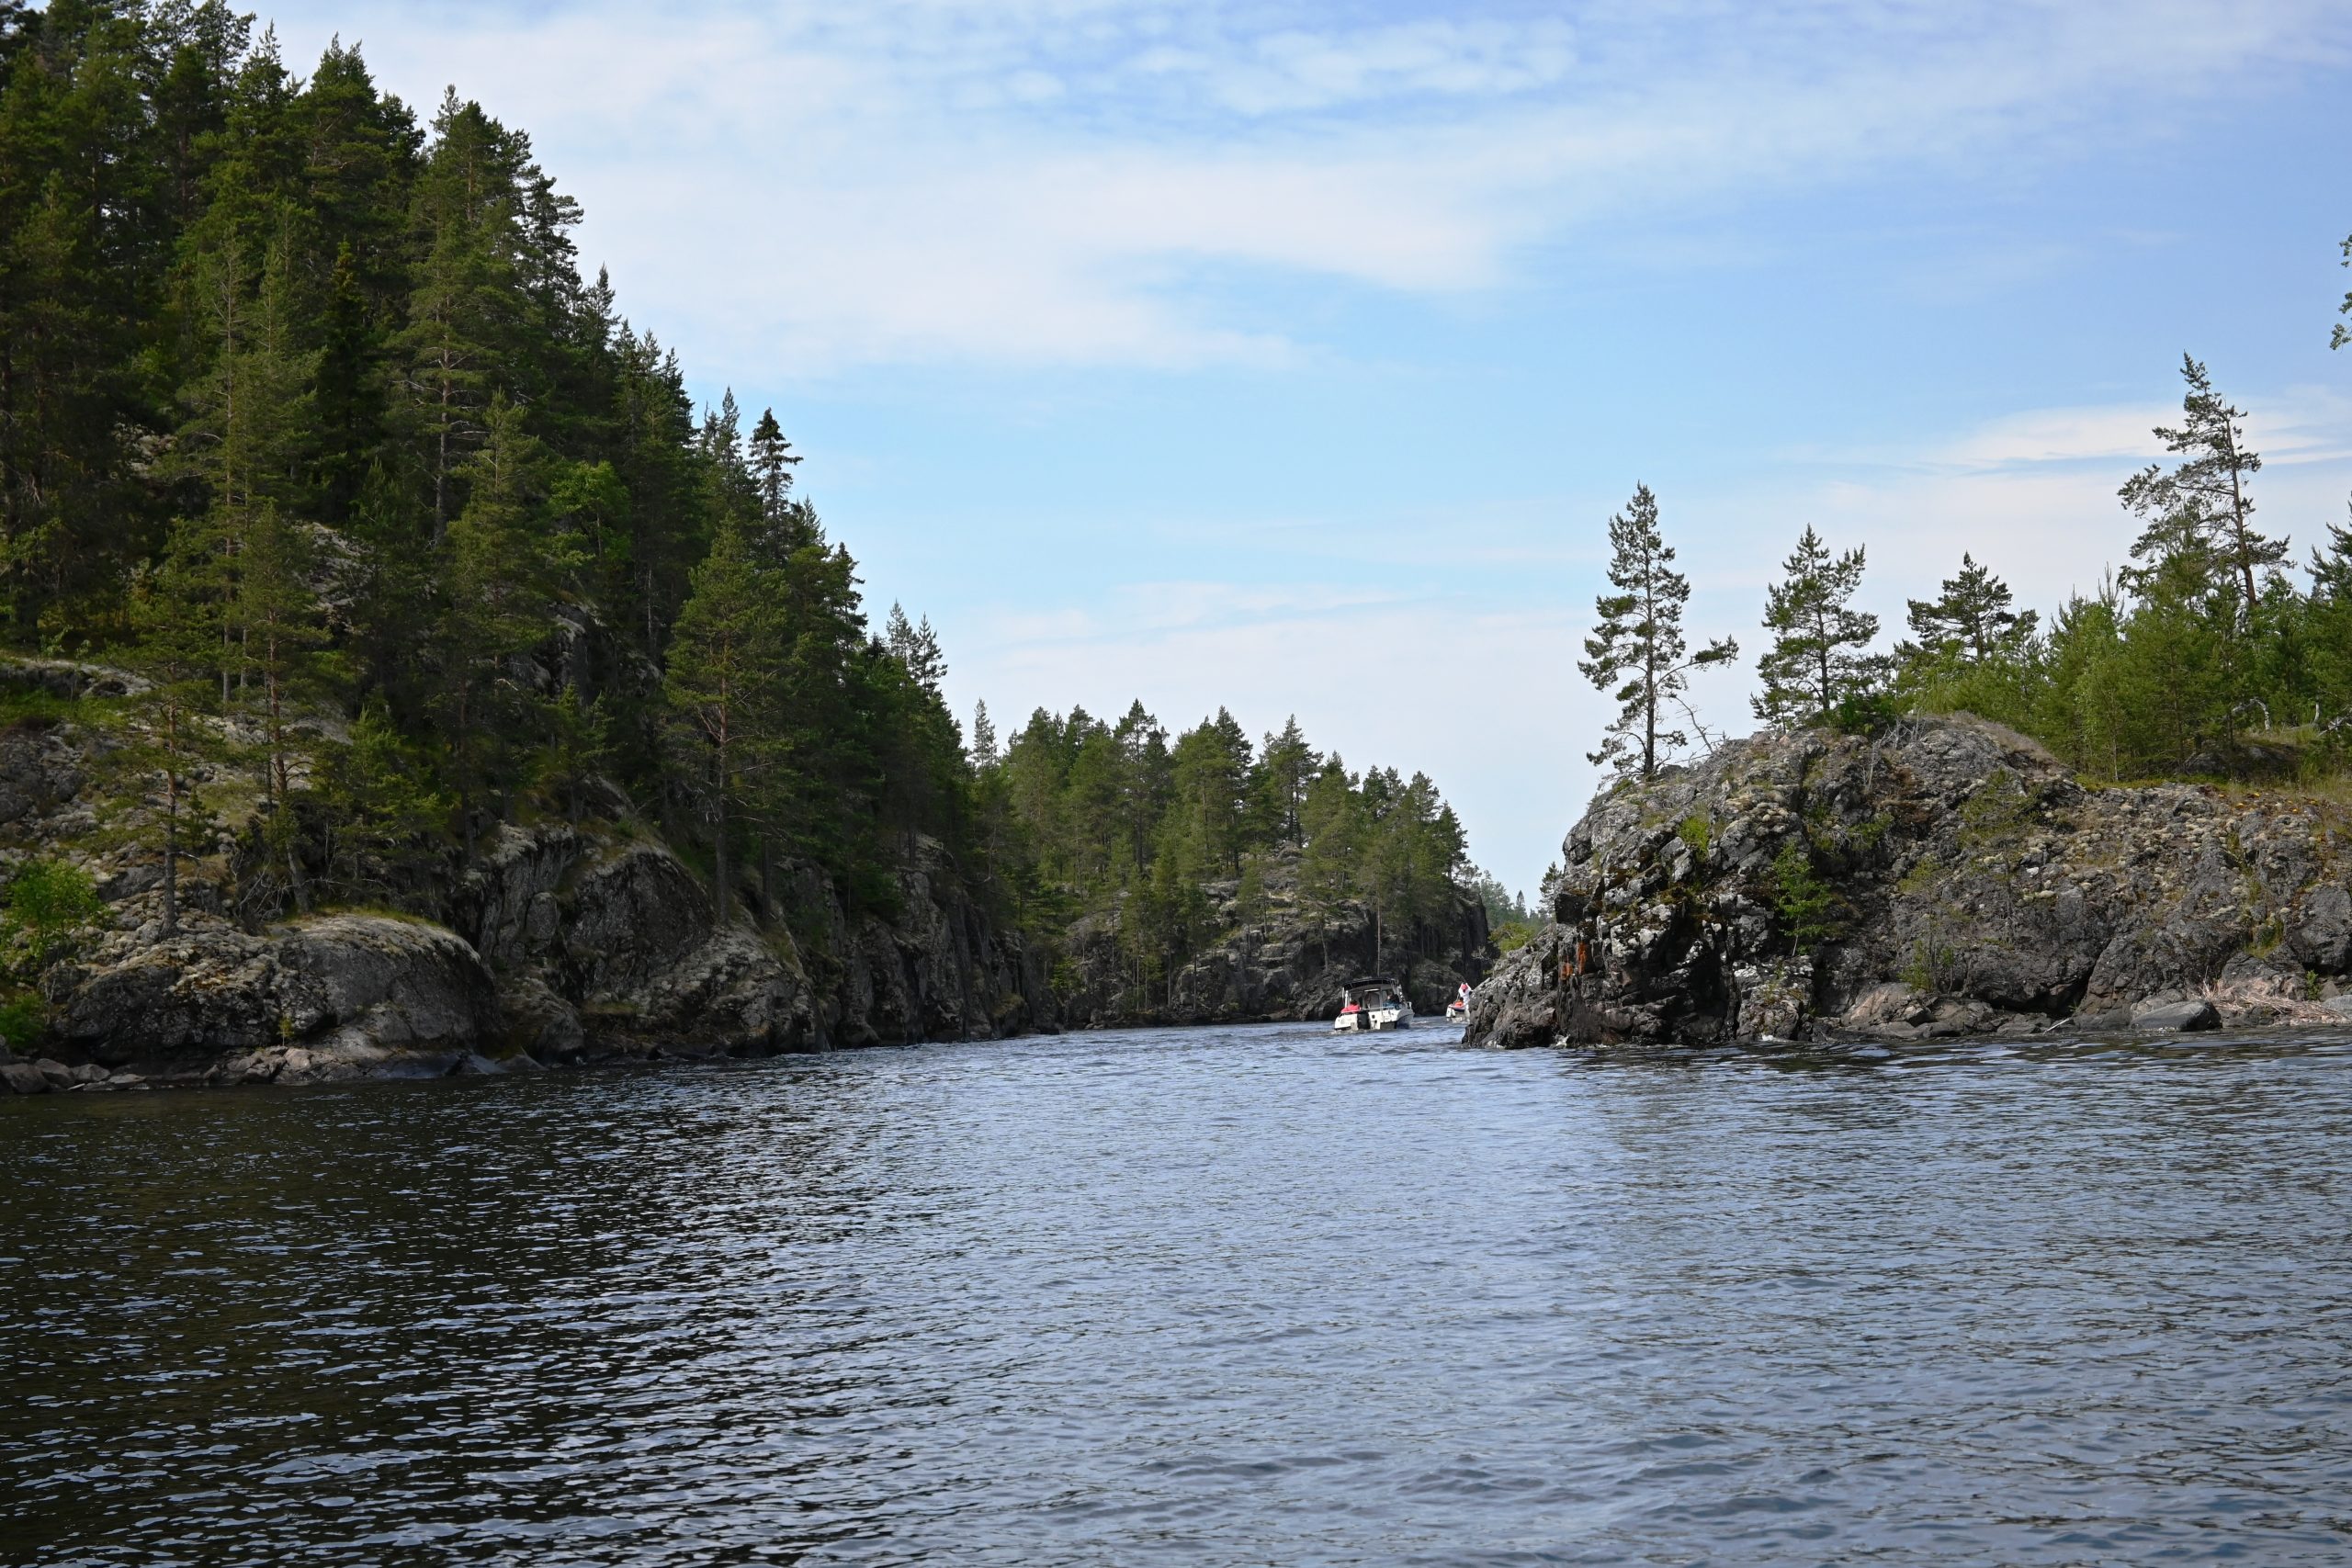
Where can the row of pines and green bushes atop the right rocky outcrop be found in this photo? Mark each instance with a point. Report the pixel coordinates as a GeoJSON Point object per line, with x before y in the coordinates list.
{"type": "Point", "coordinates": [2210, 652]}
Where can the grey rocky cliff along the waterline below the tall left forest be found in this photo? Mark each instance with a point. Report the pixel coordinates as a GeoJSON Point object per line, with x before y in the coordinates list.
{"type": "Point", "coordinates": [559, 946]}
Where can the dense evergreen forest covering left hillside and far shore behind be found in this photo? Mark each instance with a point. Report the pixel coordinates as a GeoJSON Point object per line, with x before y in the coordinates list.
{"type": "Point", "coordinates": [309, 420]}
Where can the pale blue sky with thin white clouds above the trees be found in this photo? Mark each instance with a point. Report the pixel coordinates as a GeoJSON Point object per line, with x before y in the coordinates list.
{"type": "Point", "coordinates": [1292, 356]}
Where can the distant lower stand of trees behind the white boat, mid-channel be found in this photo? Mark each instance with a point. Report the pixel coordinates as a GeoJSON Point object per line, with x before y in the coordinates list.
{"type": "Point", "coordinates": [1121, 819]}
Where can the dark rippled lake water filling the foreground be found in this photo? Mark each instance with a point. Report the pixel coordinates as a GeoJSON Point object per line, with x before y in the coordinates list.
{"type": "Point", "coordinates": [1217, 1296]}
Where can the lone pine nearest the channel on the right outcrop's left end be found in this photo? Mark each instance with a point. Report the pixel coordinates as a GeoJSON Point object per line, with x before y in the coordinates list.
{"type": "Point", "coordinates": [1638, 650]}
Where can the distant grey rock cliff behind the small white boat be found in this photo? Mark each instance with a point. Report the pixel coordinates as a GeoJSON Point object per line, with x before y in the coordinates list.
{"type": "Point", "coordinates": [1281, 958]}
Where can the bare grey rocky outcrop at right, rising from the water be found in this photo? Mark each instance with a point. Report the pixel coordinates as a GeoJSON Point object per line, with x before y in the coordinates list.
{"type": "Point", "coordinates": [1942, 878]}
